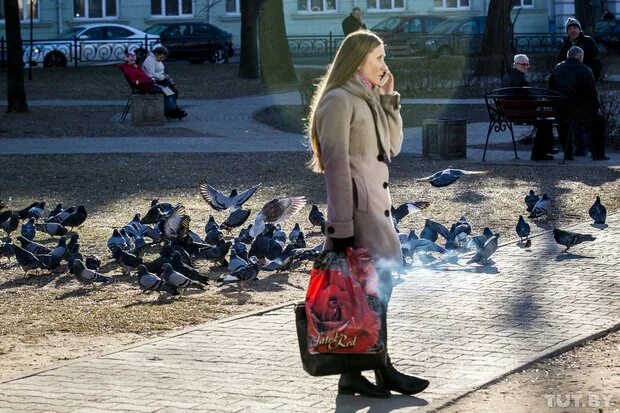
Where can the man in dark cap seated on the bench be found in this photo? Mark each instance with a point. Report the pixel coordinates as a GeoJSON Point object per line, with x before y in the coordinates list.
{"type": "Point", "coordinates": [543, 142]}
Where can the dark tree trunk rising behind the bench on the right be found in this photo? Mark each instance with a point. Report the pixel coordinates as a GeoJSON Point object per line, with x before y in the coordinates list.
{"type": "Point", "coordinates": [497, 51]}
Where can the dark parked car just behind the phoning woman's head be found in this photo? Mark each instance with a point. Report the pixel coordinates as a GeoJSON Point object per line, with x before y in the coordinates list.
{"type": "Point", "coordinates": [404, 34]}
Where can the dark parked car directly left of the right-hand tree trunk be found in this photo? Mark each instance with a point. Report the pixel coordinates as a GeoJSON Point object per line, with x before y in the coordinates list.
{"type": "Point", "coordinates": [461, 35]}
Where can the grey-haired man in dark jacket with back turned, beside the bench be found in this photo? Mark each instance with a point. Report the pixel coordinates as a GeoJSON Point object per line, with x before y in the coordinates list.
{"type": "Point", "coordinates": [575, 80]}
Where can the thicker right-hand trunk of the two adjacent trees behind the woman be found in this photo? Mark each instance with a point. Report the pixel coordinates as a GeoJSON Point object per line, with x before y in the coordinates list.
{"type": "Point", "coordinates": [275, 56]}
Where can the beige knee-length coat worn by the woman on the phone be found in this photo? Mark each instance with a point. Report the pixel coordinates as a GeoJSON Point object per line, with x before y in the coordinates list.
{"type": "Point", "coordinates": [359, 132]}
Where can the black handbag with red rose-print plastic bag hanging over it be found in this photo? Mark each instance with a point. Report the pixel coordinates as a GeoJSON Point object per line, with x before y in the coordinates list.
{"type": "Point", "coordinates": [353, 276]}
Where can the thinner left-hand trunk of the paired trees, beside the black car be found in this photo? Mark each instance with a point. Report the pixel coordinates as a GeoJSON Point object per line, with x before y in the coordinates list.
{"type": "Point", "coordinates": [248, 64]}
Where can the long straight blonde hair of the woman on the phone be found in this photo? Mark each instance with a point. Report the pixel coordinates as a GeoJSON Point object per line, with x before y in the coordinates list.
{"type": "Point", "coordinates": [349, 57]}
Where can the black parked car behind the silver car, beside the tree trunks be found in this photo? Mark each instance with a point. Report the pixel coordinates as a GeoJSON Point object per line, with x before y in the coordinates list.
{"type": "Point", "coordinates": [195, 42]}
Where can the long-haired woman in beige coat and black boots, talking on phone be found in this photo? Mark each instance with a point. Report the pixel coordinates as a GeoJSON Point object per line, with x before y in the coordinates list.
{"type": "Point", "coordinates": [355, 129]}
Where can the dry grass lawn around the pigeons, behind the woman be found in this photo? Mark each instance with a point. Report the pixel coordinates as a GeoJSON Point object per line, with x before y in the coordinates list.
{"type": "Point", "coordinates": [55, 317]}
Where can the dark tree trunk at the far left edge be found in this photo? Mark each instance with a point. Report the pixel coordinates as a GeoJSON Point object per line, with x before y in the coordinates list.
{"type": "Point", "coordinates": [16, 93]}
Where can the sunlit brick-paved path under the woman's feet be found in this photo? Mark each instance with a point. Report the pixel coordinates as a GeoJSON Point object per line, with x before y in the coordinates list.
{"type": "Point", "coordinates": [460, 326]}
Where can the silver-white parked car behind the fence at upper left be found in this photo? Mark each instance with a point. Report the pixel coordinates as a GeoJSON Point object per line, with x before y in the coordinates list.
{"type": "Point", "coordinates": [97, 43]}
